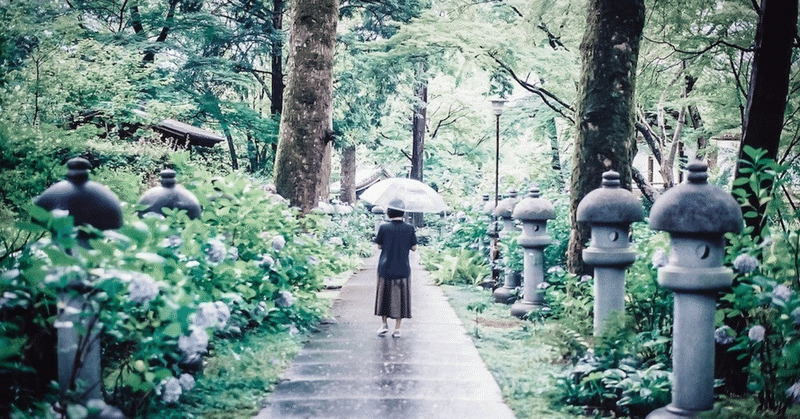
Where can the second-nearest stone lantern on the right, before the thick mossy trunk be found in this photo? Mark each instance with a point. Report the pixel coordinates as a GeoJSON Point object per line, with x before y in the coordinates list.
{"type": "Point", "coordinates": [609, 210]}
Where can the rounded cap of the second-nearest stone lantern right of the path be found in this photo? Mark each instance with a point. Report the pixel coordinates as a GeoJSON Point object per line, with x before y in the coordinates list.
{"type": "Point", "coordinates": [609, 204]}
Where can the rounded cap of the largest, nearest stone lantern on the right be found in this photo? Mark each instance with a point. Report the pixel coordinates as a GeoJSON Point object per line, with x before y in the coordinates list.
{"type": "Point", "coordinates": [695, 207]}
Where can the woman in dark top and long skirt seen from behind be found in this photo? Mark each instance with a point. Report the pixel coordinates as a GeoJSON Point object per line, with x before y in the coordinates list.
{"type": "Point", "coordinates": [393, 299]}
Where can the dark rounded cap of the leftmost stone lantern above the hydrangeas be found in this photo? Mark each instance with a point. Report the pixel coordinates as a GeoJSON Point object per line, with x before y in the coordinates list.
{"type": "Point", "coordinates": [88, 202]}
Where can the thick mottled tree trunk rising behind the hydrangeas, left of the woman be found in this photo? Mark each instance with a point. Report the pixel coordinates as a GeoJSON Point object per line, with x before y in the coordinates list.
{"type": "Point", "coordinates": [305, 129]}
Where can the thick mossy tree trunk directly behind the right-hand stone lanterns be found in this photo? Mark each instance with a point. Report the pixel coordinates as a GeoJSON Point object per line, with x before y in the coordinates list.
{"type": "Point", "coordinates": [605, 122]}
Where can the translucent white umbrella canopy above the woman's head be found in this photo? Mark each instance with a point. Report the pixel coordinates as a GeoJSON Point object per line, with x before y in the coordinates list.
{"type": "Point", "coordinates": [405, 195]}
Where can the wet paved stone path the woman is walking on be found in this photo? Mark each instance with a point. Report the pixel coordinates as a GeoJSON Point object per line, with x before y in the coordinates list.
{"type": "Point", "coordinates": [346, 371]}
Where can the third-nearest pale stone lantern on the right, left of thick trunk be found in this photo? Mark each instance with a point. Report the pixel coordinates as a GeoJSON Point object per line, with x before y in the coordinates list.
{"type": "Point", "coordinates": [534, 212]}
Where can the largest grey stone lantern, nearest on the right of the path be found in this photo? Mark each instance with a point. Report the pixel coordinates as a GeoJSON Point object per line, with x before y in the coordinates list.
{"type": "Point", "coordinates": [696, 215]}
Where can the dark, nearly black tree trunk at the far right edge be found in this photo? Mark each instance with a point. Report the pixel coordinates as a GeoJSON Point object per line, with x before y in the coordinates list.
{"type": "Point", "coordinates": [769, 85]}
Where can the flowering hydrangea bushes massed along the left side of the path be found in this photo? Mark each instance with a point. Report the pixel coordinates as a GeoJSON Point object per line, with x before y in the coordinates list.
{"type": "Point", "coordinates": [166, 291]}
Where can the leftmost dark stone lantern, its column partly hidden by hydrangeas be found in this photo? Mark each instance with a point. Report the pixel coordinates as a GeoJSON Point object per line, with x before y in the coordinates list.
{"type": "Point", "coordinates": [78, 347]}
